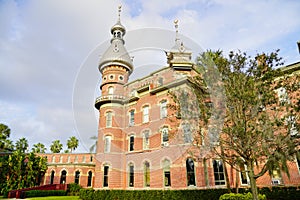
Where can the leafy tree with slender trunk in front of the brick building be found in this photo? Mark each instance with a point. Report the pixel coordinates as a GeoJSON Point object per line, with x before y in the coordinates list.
{"type": "Point", "coordinates": [257, 126]}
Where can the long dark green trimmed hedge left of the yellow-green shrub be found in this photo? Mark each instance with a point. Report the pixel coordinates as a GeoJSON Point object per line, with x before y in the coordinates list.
{"type": "Point", "coordinates": [212, 194]}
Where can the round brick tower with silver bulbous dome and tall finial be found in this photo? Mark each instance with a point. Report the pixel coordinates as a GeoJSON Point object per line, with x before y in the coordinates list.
{"type": "Point", "coordinates": [115, 67]}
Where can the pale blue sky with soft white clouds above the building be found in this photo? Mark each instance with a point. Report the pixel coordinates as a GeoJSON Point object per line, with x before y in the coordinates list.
{"type": "Point", "coordinates": [45, 47]}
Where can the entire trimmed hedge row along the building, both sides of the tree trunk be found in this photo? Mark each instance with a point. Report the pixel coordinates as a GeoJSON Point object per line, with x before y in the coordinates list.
{"type": "Point", "coordinates": [274, 193]}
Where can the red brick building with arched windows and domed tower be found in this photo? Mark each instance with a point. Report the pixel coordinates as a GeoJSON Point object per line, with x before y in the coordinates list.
{"type": "Point", "coordinates": [142, 143]}
